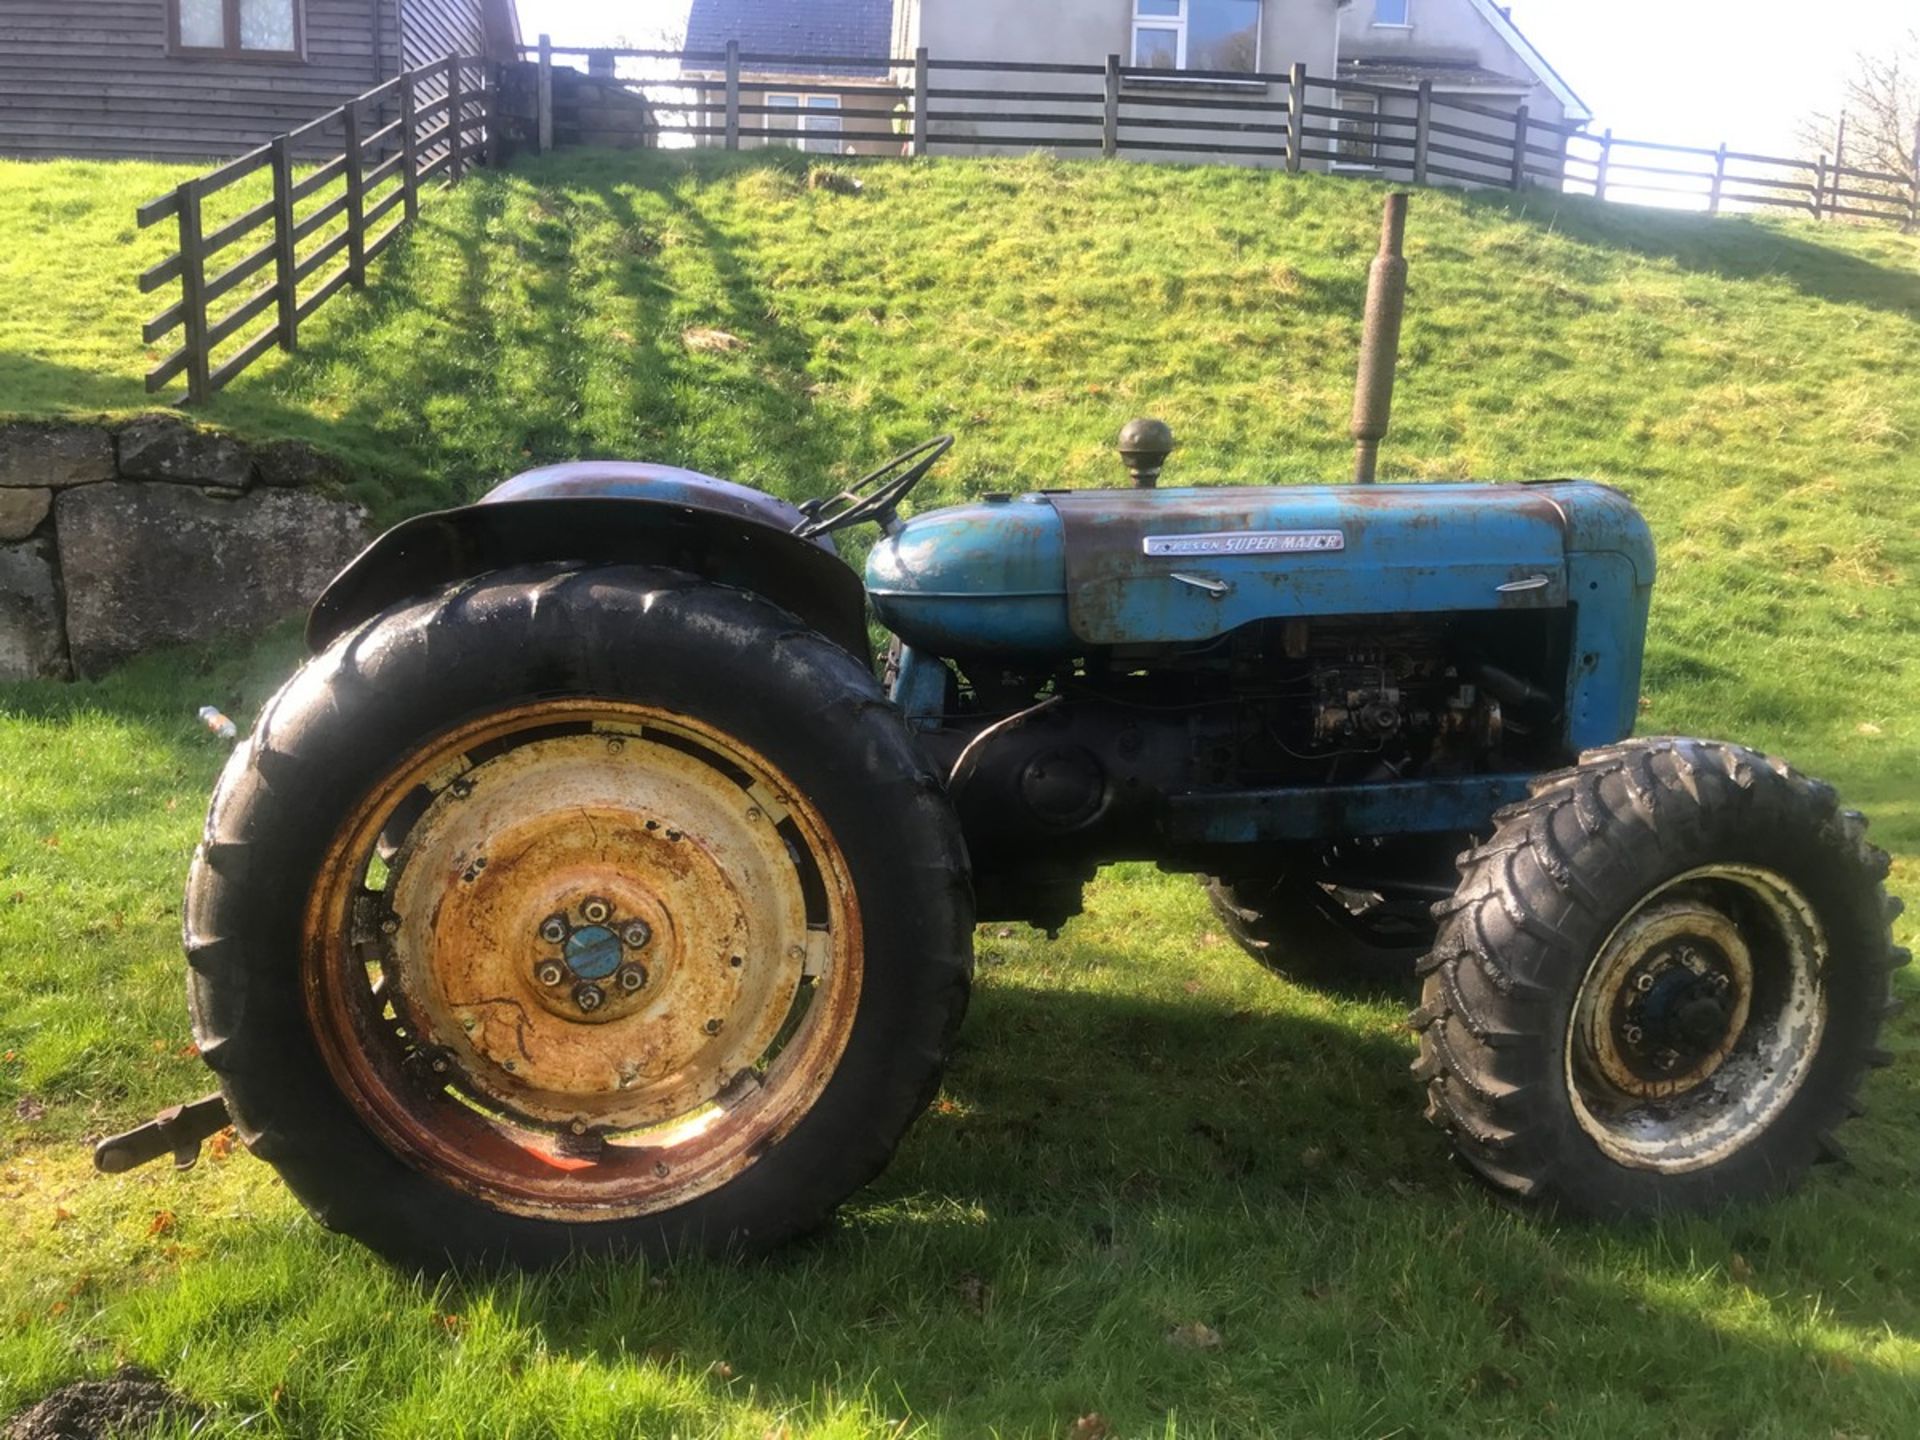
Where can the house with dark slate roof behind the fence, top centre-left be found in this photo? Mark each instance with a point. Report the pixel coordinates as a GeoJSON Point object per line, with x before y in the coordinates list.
{"type": "Point", "coordinates": [825, 108]}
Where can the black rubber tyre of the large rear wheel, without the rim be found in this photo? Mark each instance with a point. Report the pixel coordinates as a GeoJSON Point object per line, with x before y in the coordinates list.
{"type": "Point", "coordinates": [243, 986]}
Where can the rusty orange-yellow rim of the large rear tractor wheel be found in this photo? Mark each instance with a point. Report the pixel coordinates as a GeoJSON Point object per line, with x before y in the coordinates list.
{"type": "Point", "coordinates": [583, 959]}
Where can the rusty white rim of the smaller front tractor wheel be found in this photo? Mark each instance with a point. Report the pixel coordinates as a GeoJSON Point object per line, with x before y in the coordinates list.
{"type": "Point", "coordinates": [1698, 1019]}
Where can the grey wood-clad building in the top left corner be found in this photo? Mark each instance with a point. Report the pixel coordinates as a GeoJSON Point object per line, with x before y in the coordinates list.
{"type": "Point", "coordinates": [212, 78]}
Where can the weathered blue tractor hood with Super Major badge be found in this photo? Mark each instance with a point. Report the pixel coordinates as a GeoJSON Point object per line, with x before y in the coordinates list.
{"type": "Point", "coordinates": [1047, 573]}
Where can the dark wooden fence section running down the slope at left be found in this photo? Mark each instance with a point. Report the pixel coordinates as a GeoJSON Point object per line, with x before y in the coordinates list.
{"type": "Point", "coordinates": [423, 124]}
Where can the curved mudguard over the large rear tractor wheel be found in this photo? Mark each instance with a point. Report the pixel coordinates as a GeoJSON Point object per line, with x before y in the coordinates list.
{"type": "Point", "coordinates": [612, 514]}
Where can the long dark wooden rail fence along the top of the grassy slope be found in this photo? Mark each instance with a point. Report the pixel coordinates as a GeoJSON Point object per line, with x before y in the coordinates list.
{"type": "Point", "coordinates": [926, 105]}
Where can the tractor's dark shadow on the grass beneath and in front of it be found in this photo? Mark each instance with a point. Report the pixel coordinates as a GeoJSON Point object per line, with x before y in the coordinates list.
{"type": "Point", "coordinates": [1099, 1161]}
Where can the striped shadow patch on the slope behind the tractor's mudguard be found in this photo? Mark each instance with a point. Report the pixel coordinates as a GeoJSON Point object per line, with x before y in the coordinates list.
{"type": "Point", "coordinates": [565, 331]}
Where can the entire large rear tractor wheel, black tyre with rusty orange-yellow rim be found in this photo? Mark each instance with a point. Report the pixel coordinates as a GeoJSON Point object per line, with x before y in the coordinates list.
{"type": "Point", "coordinates": [579, 909]}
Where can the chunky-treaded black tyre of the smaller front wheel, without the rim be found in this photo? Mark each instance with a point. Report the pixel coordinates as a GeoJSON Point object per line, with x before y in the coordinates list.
{"type": "Point", "coordinates": [1518, 936]}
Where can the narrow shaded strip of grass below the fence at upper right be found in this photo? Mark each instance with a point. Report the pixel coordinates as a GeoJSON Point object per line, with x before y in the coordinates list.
{"type": "Point", "coordinates": [1731, 247]}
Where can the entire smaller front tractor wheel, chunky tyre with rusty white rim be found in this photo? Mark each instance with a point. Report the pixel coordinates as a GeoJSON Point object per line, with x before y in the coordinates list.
{"type": "Point", "coordinates": [1660, 984]}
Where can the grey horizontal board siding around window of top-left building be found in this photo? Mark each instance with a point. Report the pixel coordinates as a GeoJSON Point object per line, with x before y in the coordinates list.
{"type": "Point", "coordinates": [93, 78]}
